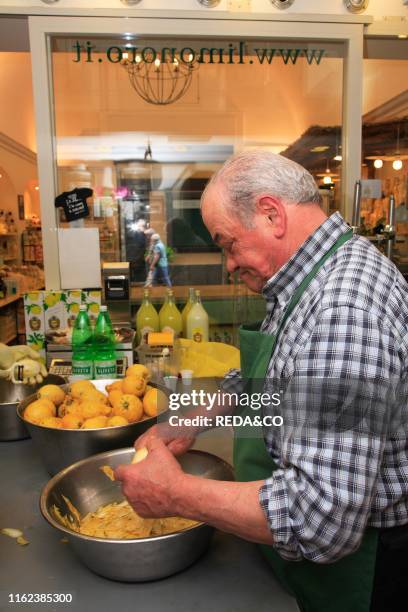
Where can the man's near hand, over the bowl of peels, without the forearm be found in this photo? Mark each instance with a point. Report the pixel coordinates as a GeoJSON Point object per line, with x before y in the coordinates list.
{"type": "Point", "coordinates": [152, 485]}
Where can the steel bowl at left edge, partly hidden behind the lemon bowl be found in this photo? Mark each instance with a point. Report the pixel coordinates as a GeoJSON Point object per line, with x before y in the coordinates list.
{"type": "Point", "coordinates": [11, 427]}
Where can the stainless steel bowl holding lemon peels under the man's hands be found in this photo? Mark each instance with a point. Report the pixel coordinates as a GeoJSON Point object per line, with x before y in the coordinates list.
{"type": "Point", "coordinates": [135, 560]}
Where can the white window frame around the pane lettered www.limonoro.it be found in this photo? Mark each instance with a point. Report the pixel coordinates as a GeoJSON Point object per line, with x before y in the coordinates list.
{"type": "Point", "coordinates": [248, 27]}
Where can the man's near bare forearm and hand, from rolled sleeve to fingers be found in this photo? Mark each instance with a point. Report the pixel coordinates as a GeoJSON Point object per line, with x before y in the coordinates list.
{"type": "Point", "coordinates": [157, 487]}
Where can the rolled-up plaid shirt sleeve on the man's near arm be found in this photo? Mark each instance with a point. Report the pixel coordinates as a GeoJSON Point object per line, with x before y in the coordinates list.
{"type": "Point", "coordinates": [317, 502]}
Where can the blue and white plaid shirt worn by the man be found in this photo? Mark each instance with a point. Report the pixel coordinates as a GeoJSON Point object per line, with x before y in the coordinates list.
{"type": "Point", "coordinates": [350, 324]}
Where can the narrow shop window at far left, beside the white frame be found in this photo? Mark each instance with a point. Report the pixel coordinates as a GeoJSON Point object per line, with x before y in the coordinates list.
{"type": "Point", "coordinates": [21, 253]}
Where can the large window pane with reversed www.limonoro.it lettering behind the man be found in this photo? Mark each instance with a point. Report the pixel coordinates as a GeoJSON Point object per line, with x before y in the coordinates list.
{"type": "Point", "coordinates": [145, 124]}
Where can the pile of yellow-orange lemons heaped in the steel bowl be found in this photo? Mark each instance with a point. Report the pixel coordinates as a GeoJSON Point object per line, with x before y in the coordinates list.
{"type": "Point", "coordinates": [128, 400]}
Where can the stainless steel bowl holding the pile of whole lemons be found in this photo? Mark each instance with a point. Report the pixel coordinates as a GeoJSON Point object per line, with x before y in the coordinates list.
{"type": "Point", "coordinates": [59, 448]}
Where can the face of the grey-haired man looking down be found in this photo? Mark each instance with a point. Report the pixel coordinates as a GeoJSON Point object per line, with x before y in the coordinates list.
{"type": "Point", "coordinates": [249, 252]}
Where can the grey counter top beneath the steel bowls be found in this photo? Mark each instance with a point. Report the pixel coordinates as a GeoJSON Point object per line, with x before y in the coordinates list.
{"type": "Point", "coordinates": [231, 577]}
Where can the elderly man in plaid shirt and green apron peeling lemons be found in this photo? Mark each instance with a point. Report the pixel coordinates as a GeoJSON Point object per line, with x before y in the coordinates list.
{"type": "Point", "coordinates": [329, 506]}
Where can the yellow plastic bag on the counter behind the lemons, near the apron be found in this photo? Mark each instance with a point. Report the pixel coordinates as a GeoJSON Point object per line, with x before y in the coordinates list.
{"type": "Point", "coordinates": [206, 359]}
